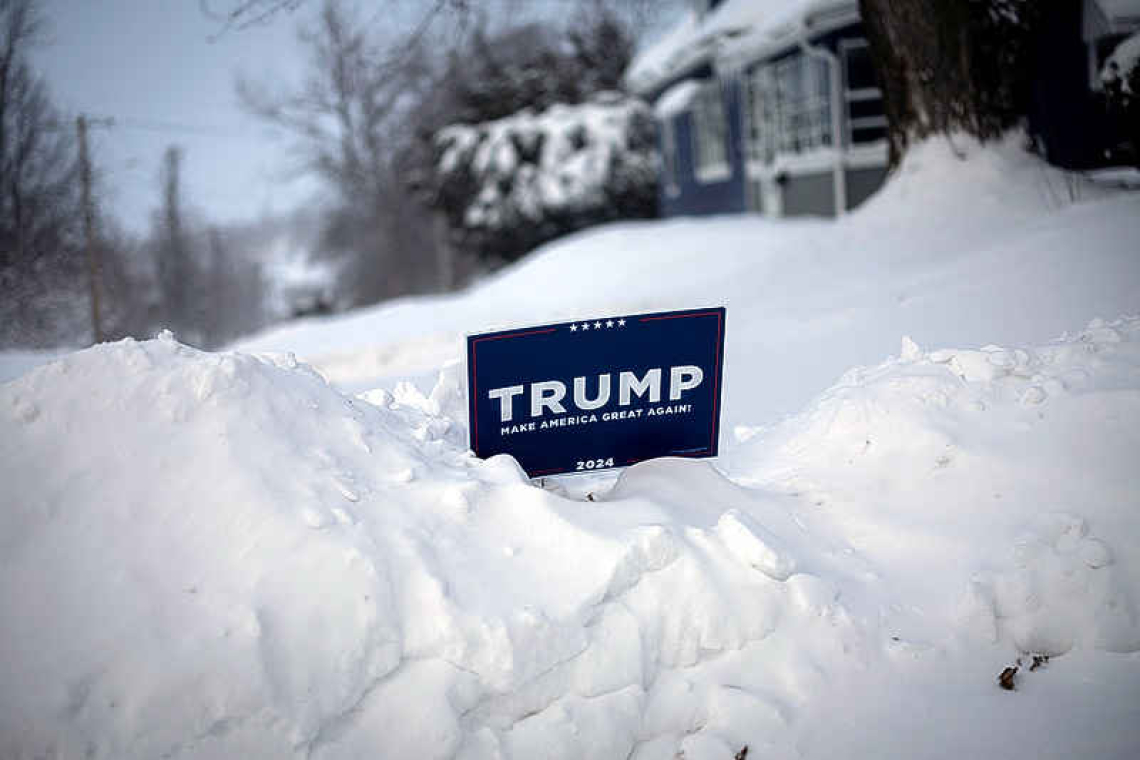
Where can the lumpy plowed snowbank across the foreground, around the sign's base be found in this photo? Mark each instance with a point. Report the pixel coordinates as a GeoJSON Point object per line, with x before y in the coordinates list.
{"type": "Point", "coordinates": [218, 555]}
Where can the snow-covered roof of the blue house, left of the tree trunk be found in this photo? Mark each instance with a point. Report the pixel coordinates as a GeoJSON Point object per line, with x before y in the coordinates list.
{"type": "Point", "coordinates": [697, 39]}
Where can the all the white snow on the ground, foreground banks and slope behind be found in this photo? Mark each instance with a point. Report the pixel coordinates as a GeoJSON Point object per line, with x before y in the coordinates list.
{"type": "Point", "coordinates": [223, 555]}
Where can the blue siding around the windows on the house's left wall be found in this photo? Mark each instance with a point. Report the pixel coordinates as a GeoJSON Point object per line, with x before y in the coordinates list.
{"type": "Point", "coordinates": [702, 199]}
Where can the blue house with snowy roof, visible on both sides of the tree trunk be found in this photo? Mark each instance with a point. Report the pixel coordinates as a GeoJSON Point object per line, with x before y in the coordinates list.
{"type": "Point", "coordinates": [772, 107]}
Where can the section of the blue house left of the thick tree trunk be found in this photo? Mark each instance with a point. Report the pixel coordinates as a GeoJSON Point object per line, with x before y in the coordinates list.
{"type": "Point", "coordinates": [770, 108]}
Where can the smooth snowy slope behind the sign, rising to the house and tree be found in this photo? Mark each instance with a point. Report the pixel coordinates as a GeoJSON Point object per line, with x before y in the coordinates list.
{"type": "Point", "coordinates": [952, 252]}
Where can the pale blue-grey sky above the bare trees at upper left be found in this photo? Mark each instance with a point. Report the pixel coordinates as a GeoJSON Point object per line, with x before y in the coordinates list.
{"type": "Point", "coordinates": [153, 67]}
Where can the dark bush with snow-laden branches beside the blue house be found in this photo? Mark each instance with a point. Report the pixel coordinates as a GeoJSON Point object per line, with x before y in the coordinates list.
{"type": "Point", "coordinates": [516, 183]}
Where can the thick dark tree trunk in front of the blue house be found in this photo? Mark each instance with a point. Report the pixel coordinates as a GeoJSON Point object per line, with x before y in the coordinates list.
{"type": "Point", "coordinates": [952, 66]}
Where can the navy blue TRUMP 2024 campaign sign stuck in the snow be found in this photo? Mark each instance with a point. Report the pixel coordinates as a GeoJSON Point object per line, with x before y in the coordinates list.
{"type": "Point", "coordinates": [598, 394]}
